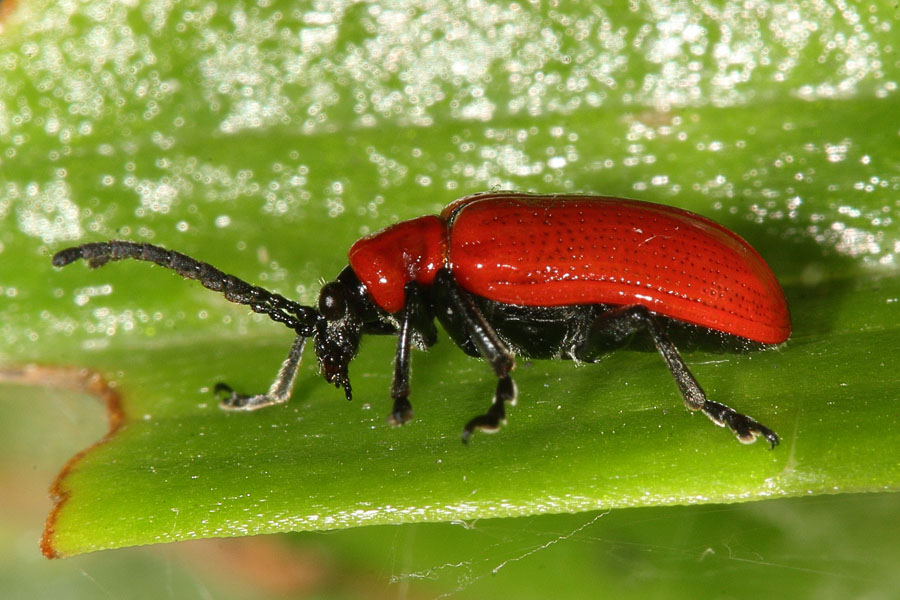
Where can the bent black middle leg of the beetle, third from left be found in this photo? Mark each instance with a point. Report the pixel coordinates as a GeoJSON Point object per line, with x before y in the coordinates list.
{"type": "Point", "coordinates": [490, 347]}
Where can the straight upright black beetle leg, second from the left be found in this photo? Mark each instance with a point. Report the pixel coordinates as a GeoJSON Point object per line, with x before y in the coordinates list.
{"type": "Point", "coordinates": [416, 320]}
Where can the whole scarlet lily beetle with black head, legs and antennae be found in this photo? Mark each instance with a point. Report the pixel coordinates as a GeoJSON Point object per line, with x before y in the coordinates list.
{"type": "Point", "coordinates": [542, 276]}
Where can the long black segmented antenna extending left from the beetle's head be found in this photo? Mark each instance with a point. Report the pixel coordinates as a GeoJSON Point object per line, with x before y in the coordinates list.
{"type": "Point", "coordinates": [300, 318]}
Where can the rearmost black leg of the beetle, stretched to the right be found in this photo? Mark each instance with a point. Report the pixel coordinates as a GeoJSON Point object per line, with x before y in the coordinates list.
{"type": "Point", "coordinates": [620, 323]}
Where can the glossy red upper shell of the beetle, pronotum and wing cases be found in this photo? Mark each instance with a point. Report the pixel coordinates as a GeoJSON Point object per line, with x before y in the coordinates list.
{"type": "Point", "coordinates": [560, 250]}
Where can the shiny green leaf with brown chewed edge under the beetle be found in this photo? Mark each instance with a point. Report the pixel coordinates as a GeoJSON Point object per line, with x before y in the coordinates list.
{"type": "Point", "coordinates": [267, 139]}
